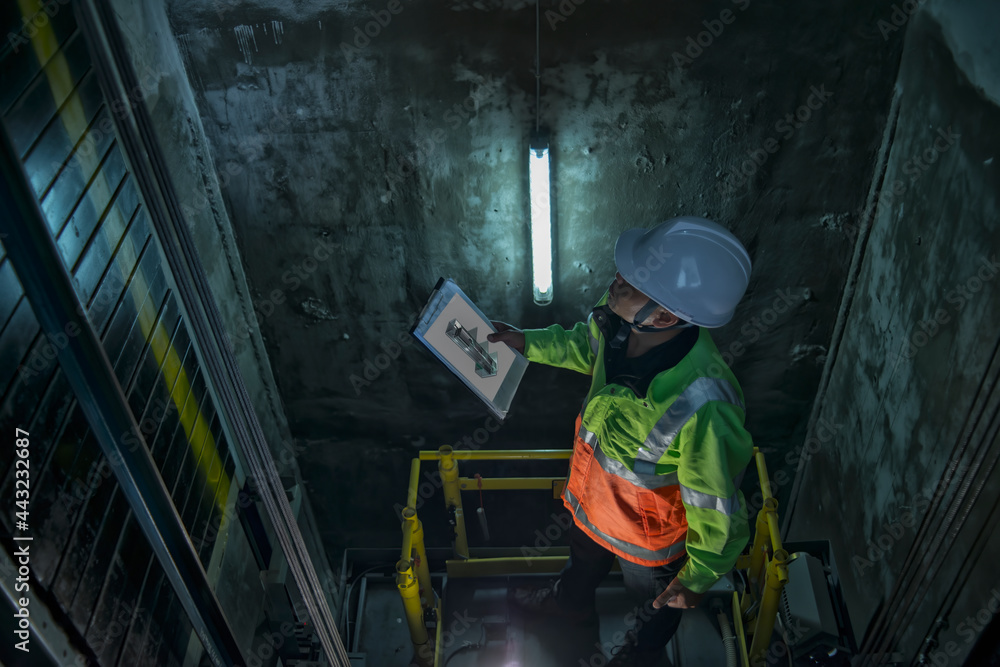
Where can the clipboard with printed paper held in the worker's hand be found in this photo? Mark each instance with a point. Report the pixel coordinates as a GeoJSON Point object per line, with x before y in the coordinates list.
{"type": "Point", "coordinates": [455, 331]}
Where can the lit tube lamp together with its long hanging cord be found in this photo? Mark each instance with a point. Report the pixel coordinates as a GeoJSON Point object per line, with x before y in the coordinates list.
{"type": "Point", "coordinates": [539, 182]}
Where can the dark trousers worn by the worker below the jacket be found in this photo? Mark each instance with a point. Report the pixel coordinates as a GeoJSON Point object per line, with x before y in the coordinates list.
{"type": "Point", "coordinates": [589, 563]}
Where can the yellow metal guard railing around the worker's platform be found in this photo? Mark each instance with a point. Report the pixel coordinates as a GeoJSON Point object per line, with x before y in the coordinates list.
{"type": "Point", "coordinates": [754, 612]}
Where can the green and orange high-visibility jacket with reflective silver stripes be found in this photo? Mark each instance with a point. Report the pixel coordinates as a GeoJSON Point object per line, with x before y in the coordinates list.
{"type": "Point", "coordinates": [656, 469]}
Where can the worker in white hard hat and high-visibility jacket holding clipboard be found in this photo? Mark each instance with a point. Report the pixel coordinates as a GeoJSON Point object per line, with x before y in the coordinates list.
{"type": "Point", "coordinates": [660, 444]}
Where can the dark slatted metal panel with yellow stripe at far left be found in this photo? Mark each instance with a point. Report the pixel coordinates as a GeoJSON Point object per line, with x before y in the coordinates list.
{"type": "Point", "coordinates": [90, 553]}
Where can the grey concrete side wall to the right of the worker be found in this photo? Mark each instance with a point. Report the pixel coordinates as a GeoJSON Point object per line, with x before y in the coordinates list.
{"type": "Point", "coordinates": [905, 422]}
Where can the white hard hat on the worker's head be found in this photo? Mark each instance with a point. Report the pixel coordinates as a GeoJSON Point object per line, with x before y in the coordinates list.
{"type": "Point", "coordinates": [693, 267]}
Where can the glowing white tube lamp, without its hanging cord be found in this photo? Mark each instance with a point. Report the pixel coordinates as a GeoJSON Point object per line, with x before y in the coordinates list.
{"type": "Point", "coordinates": [541, 221]}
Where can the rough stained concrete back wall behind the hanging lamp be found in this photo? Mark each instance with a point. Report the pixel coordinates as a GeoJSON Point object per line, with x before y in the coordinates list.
{"type": "Point", "coordinates": [356, 173]}
